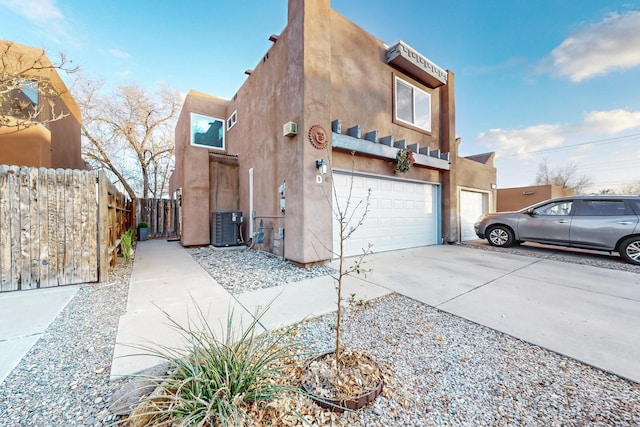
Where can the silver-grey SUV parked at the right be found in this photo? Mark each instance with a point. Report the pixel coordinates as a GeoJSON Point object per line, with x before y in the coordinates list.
{"type": "Point", "coordinates": [608, 223]}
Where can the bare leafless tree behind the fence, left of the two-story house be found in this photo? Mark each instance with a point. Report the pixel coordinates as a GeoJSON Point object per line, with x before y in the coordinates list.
{"type": "Point", "coordinates": [129, 133]}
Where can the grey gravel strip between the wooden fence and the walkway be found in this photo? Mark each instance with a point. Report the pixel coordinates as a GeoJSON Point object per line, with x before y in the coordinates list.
{"type": "Point", "coordinates": [64, 379]}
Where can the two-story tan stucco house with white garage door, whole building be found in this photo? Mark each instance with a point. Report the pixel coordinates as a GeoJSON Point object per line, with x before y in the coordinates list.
{"type": "Point", "coordinates": [326, 89]}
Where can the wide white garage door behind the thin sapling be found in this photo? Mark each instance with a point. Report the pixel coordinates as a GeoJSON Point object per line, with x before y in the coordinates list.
{"type": "Point", "coordinates": [401, 214]}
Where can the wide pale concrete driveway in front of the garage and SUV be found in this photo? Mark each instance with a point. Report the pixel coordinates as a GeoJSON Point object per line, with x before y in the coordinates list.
{"type": "Point", "coordinates": [590, 314]}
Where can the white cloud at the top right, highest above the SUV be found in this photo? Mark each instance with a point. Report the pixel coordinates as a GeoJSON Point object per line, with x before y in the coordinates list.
{"type": "Point", "coordinates": [597, 49]}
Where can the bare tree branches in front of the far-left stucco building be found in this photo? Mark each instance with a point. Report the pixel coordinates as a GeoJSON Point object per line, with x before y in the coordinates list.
{"type": "Point", "coordinates": [30, 86]}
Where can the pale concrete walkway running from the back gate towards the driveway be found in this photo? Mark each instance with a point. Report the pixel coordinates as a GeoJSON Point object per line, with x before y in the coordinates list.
{"type": "Point", "coordinates": [166, 279]}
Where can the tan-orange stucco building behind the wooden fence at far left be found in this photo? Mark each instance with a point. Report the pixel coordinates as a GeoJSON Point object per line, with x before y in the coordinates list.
{"type": "Point", "coordinates": [50, 144]}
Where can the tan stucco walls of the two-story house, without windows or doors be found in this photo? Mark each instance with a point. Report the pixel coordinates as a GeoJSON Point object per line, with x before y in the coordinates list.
{"type": "Point", "coordinates": [321, 68]}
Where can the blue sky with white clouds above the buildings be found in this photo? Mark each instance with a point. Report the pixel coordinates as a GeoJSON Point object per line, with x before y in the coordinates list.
{"type": "Point", "coordinates": [554, 79]}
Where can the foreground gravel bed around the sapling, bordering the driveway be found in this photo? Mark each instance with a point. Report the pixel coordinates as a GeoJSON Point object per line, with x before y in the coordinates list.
{"type": "Point", "coordinates": [449, 371]}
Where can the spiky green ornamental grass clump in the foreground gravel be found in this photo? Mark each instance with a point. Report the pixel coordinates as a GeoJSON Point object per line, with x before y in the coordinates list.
{"type": "Point", "coordinates": [217, 382]}
